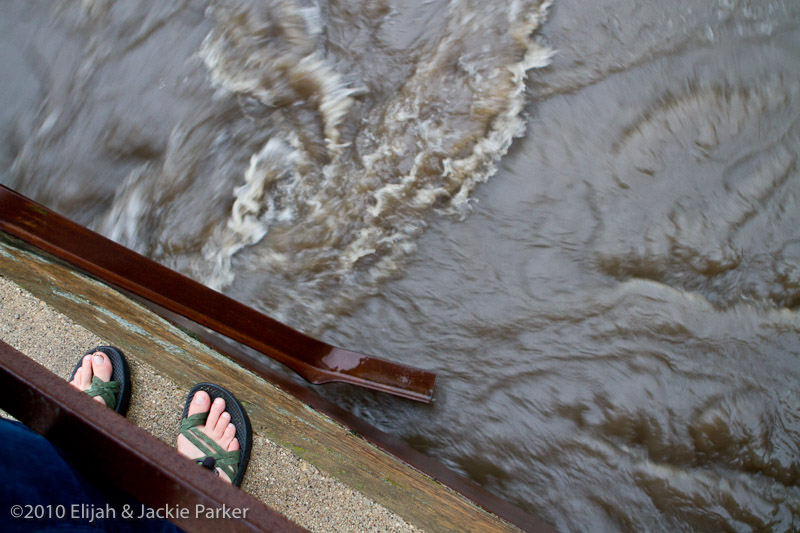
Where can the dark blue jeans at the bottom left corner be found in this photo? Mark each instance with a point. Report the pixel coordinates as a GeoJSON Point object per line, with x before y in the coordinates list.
{"type": "Point", "coordinates": [40, 491]}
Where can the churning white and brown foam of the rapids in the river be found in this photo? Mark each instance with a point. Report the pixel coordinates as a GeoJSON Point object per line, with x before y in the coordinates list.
{"type": "Point", "coordinates": [346, 177]}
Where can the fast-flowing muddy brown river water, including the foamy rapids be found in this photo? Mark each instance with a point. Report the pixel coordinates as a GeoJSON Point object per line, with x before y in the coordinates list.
{"type": "Point", "coordinates": [600, 257]}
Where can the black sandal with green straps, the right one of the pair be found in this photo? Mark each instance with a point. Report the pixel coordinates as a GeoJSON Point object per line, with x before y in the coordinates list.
{"type": "Point", "coordinates": [233, 463]}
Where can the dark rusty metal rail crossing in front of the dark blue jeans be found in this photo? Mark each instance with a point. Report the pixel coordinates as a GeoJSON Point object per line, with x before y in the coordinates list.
{"type": "Point", "coordinates": [135, 461]}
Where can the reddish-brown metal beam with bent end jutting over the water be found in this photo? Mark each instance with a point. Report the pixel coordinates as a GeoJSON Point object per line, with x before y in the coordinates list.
{"type": "Point", "coordinates": [312, 359]}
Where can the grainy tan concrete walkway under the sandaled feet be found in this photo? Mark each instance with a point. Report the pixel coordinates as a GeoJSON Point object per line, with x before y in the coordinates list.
{"type": "Point", "coordinates": [275, 476]}
